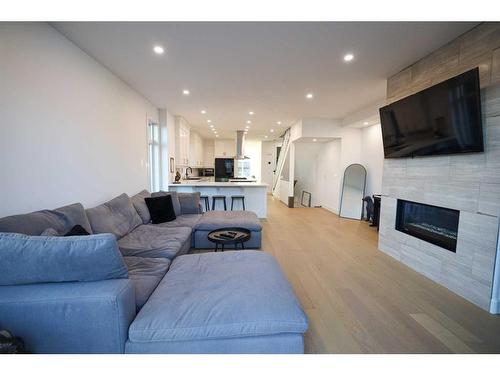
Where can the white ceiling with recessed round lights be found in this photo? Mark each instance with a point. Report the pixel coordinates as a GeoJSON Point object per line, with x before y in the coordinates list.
{"type": "Point", "coordinates": [233, 68]}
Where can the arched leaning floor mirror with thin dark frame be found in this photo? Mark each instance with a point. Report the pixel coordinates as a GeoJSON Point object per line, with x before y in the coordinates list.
{"type": "Point", "coordinates": [353, 191]}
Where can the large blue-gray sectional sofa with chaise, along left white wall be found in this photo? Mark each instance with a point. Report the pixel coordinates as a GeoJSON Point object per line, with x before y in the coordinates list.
{"type": "Point", "coordinates": [130, 288]}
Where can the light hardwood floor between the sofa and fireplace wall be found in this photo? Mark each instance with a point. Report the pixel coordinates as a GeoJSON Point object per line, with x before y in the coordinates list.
{"type": "Point", "coordinates": [360, 300]}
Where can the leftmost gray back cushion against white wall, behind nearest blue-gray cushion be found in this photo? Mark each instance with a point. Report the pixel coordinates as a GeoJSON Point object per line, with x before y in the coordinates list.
{"type": "Point", "coordinates": [61, 219]}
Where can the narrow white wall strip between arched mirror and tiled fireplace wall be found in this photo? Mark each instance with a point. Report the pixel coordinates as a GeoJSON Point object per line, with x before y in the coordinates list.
{"type": "Point", "coordinates": [372, 157]}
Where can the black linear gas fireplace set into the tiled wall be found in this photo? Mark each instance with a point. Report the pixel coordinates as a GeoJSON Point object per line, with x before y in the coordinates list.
{"type": "Point", "coordinates": [436, 225]}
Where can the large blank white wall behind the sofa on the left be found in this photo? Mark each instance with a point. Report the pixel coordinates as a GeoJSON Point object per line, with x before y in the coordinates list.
{"type": "Point", "coordinates": [70, 129]}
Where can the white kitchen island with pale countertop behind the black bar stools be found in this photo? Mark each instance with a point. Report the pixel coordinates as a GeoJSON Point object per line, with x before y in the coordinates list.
{"type": "Point", "coordinates": [255, 193]}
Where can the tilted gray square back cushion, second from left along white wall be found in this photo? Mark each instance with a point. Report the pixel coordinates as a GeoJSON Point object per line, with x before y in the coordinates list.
{"type": "Point", "coordinates": [117, 216]}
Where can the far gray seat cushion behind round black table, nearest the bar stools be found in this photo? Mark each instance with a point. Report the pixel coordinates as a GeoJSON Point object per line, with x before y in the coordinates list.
{"type": "Point", "coordinates": [221, 219]}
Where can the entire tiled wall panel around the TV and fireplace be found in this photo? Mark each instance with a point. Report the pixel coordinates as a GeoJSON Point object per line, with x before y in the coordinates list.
{"type": "Point", "coordinates": [469, 183]}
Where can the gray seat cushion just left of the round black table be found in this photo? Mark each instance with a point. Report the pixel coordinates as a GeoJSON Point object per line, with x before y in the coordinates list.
{"type": "Point", "coordinates": [151, 241]}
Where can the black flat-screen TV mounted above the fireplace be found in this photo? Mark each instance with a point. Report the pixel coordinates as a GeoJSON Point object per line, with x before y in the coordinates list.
{"type": "Point", "coordinates": [443, 119]}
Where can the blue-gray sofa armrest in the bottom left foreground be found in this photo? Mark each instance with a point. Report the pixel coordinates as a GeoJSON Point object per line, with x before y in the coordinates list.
{"type": "Point", "coordinates": [71, 317]}
